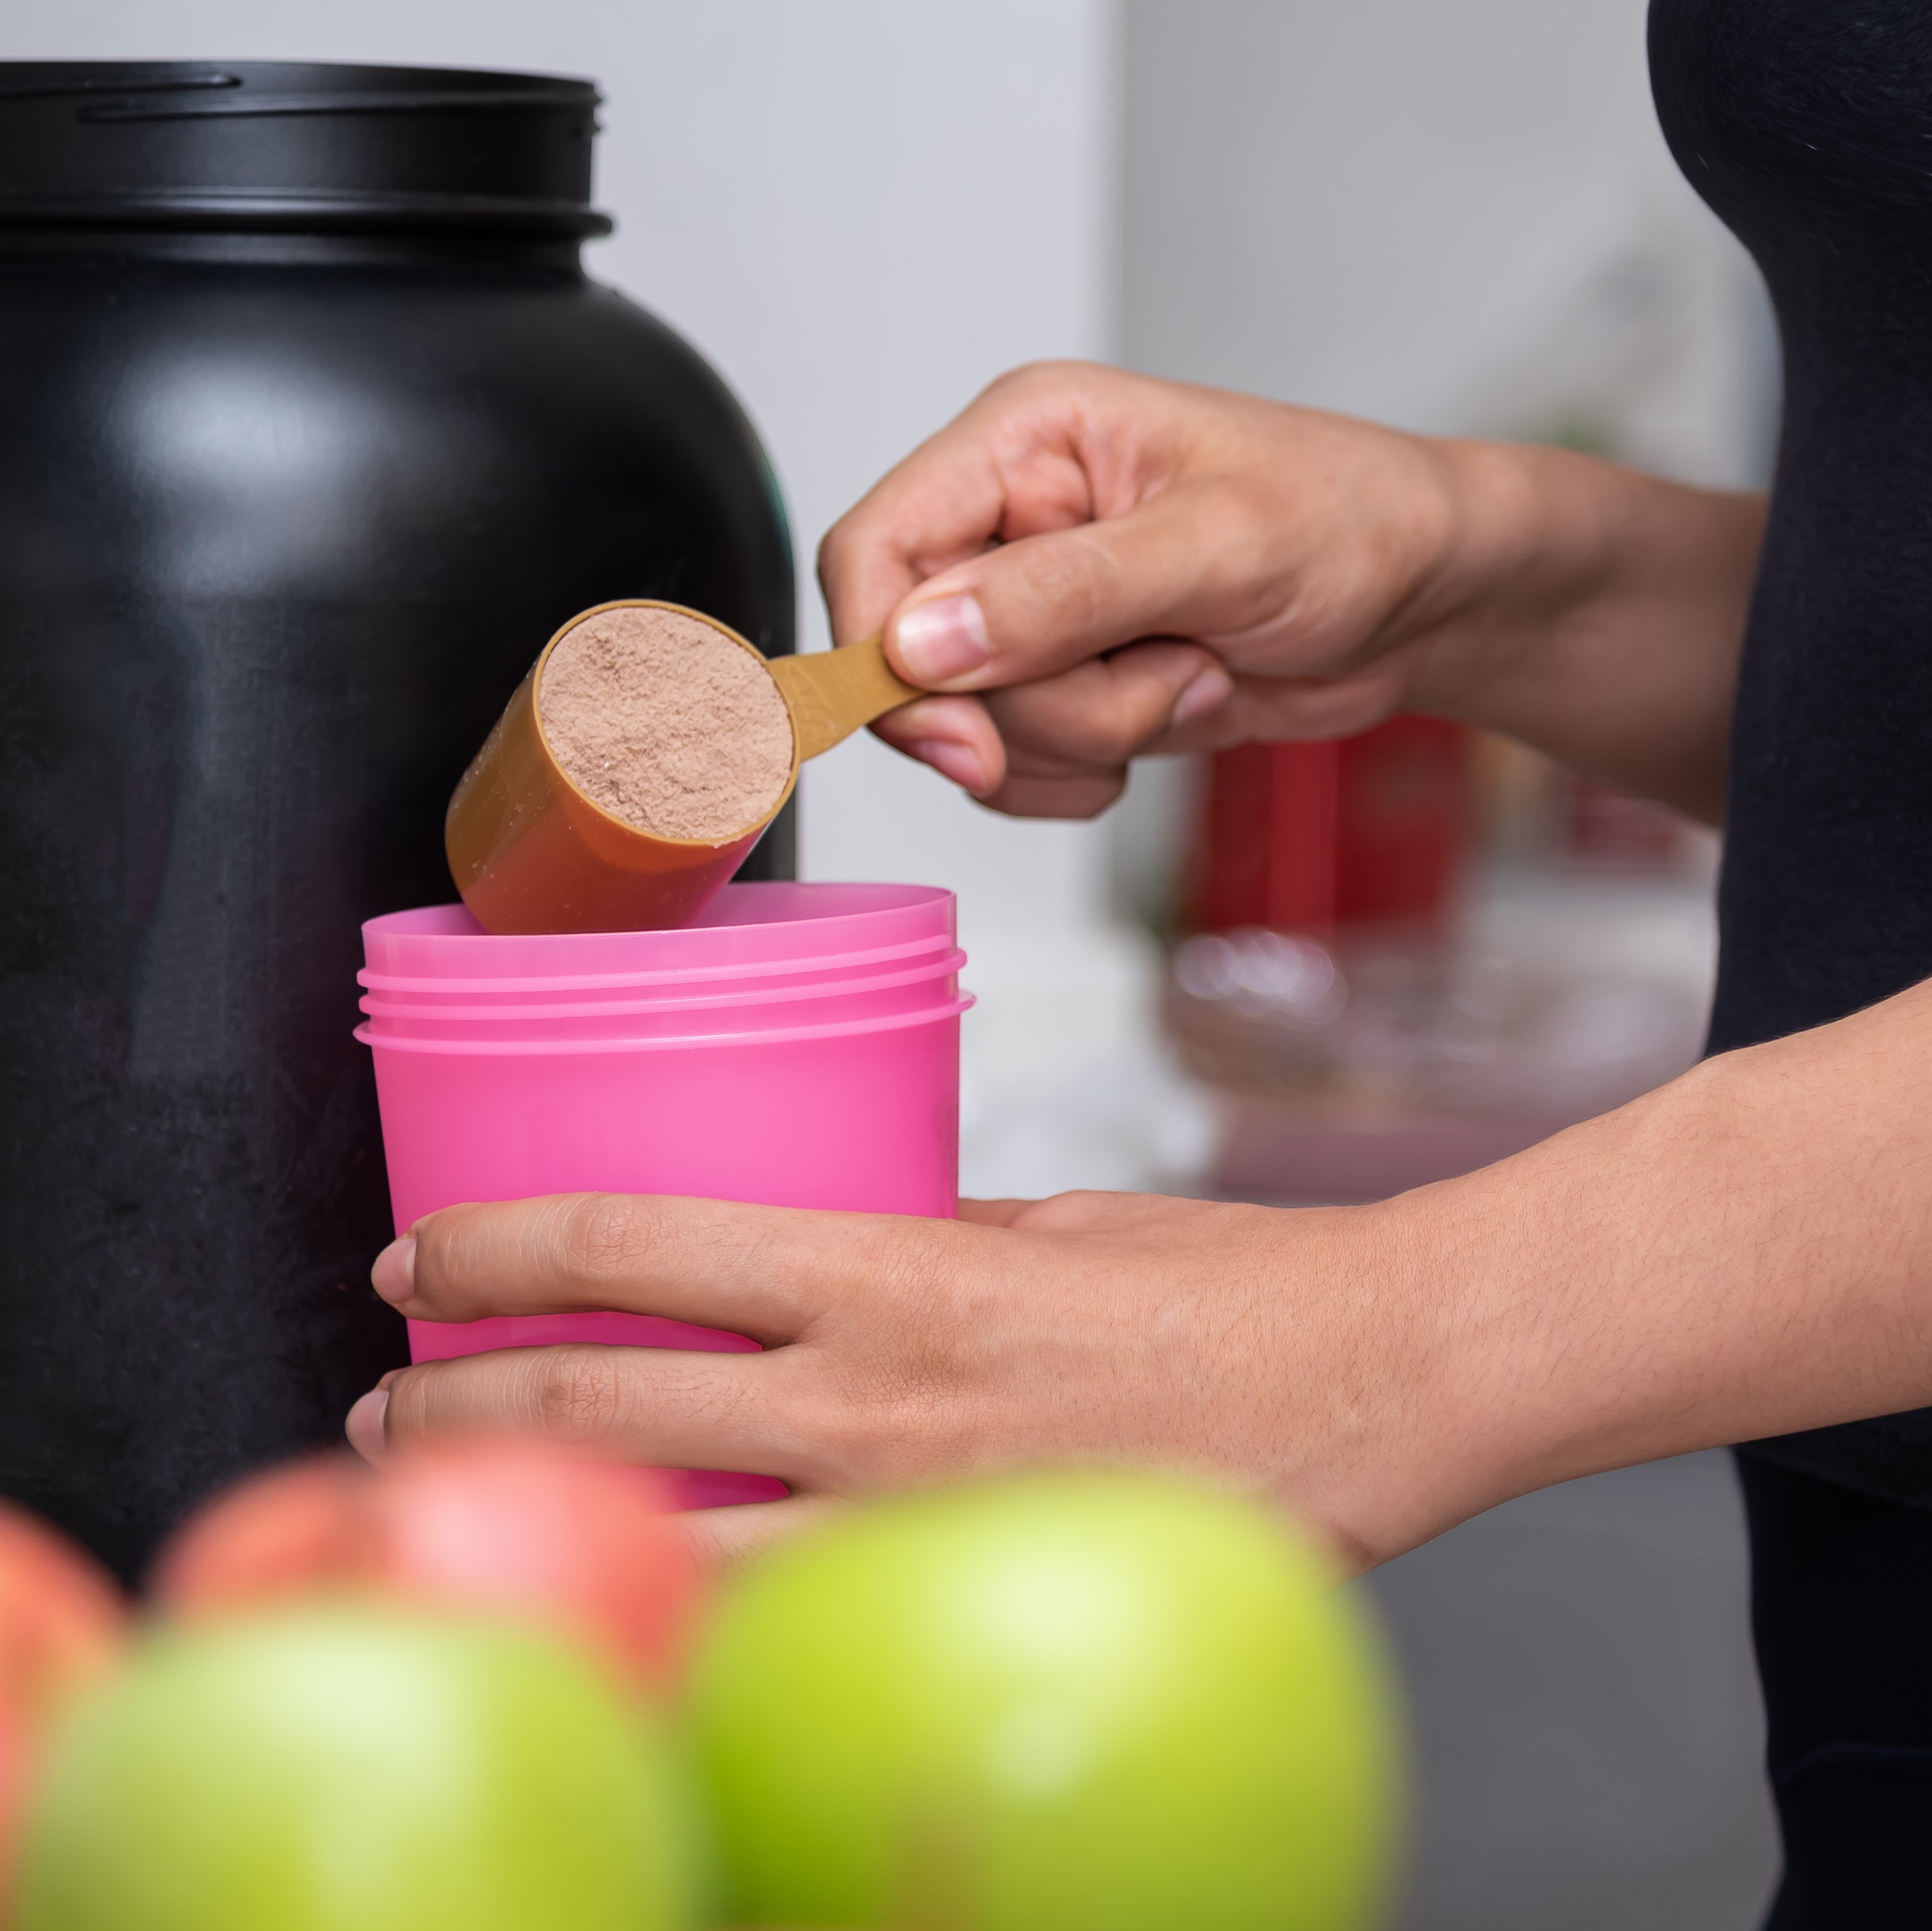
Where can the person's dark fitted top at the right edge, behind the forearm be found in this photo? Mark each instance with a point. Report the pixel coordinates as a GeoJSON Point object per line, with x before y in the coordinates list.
{"type": "Point", "coordinates": [1807, 125]}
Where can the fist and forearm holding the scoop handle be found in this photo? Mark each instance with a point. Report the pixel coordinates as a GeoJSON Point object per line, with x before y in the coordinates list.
{"type": "Point", "coordinates": [1102, 565]}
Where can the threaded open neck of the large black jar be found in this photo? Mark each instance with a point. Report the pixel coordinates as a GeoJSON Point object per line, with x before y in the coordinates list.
{"type": "Point", "coordinates": [293, 146]}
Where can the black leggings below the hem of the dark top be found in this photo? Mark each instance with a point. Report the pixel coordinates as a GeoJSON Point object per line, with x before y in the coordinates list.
{"type": "Point", "coordinates": [1842, 1613]}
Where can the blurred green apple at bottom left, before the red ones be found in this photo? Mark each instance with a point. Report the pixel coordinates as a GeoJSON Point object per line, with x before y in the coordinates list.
{"type": "Point", "coordinates": [358, 1770]}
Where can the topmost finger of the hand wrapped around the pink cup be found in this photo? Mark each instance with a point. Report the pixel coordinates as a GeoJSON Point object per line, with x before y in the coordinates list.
{"type": "Point", "coordinates": [760, 1272]}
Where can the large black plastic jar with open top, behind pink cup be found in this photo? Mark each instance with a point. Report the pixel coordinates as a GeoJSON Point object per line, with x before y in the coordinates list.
{"type": "Point", "coordinates": [312, 432]}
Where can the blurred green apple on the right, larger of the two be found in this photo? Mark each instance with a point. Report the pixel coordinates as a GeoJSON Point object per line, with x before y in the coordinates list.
{"type": "Point", "coordinates": [1075, 1702]}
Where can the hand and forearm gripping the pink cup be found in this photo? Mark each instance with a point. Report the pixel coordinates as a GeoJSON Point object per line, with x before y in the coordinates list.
{"type": "Point", "coordinates": [1740, 1254]}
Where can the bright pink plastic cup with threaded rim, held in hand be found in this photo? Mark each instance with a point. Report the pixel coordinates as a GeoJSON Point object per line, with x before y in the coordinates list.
{"type": "Point", "coordinates": [799, 1046]}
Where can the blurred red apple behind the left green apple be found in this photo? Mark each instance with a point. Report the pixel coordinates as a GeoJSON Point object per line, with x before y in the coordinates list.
{"type": "Point", "coordinates": [505, 1525]}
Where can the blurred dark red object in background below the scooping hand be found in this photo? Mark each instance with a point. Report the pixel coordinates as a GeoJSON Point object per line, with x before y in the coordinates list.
{"type": "Point", "coordinates": [1319, 837]}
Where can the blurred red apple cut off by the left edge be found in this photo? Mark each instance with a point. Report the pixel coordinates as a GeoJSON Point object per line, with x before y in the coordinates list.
{"type": "Point", "coordinates": [63, 1625]}
